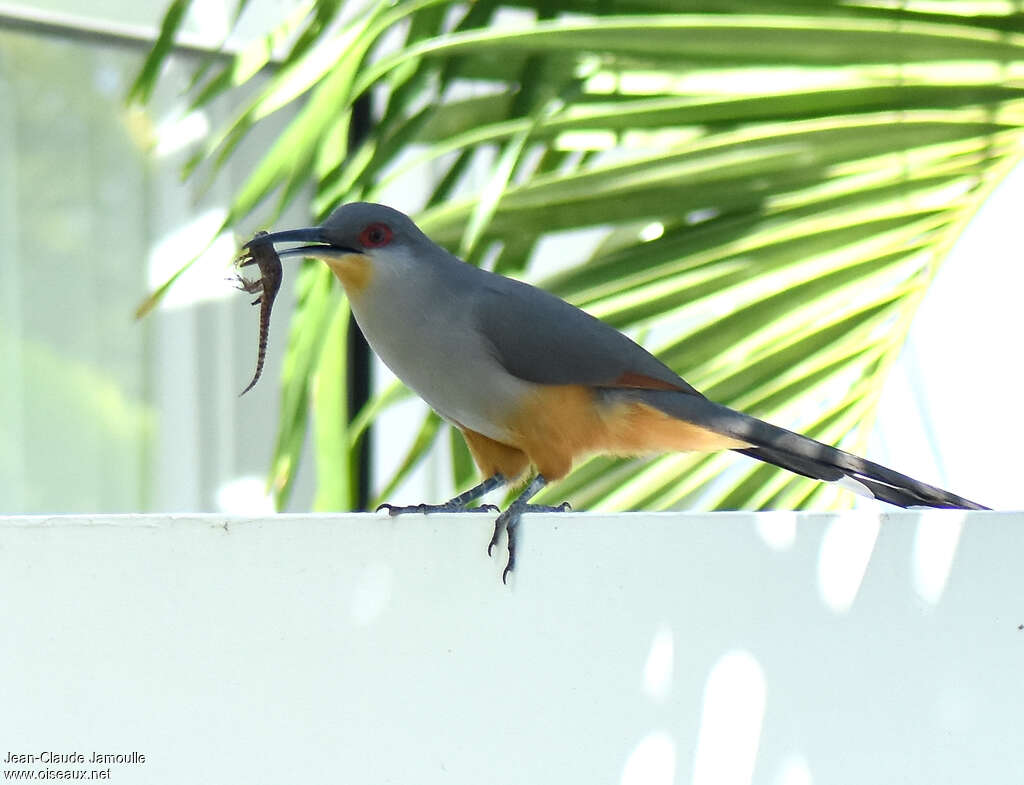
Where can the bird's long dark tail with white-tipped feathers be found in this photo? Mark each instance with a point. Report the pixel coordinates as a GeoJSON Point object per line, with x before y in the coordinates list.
{"type": "Point", "coordinates": [800, 454]}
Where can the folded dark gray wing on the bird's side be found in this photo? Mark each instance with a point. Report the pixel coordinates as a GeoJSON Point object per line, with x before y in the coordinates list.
{"type": "Point", "coordinates": [541, 338]}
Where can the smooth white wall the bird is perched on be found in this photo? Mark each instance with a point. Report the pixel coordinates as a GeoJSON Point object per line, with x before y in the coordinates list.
{"type": "Point", "coordinates": [728, 648]}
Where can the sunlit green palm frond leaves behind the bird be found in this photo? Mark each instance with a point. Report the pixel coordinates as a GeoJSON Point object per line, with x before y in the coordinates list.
{"type": "Point", "coordinates": [775, 192]}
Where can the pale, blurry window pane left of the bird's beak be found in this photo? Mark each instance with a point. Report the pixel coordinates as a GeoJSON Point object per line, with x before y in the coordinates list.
{"type": "Point", "coordinates": [102, 413]}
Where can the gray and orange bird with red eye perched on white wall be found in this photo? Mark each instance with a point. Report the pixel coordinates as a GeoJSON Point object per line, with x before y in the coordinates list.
{"type": "Point", "coordinates": [534, 383]}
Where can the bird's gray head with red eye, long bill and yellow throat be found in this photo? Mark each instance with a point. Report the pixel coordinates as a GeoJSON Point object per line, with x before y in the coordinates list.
{"type": "Point", "coordinates": [356, 241]}
